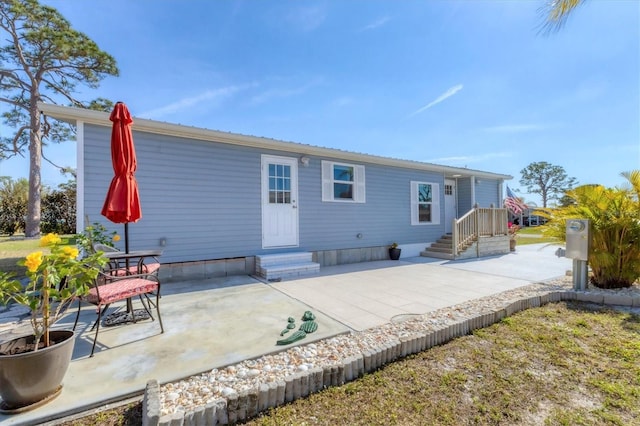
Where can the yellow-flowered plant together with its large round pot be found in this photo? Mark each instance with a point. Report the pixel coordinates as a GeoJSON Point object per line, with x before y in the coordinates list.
{"type": "Point", "coordinates": [32, 366]}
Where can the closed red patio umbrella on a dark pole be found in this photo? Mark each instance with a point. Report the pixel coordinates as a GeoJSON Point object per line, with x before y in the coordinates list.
{"type": "Point", "coordinates": [122, 204]}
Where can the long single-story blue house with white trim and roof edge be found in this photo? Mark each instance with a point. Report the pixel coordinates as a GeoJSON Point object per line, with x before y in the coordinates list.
{"type": "Point", "coordinates": [216, 202]}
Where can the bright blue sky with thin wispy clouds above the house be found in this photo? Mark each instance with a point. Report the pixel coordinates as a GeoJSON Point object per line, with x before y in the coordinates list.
{"type": "Point", "coordinates": [461, 83]}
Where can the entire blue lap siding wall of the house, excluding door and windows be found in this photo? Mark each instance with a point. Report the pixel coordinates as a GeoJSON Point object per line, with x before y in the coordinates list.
{"type": "Point", "coordinates": [204, 199]}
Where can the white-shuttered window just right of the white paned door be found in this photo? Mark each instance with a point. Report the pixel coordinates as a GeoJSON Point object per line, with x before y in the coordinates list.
{"type": "Point", "coordinates": [343, 182]}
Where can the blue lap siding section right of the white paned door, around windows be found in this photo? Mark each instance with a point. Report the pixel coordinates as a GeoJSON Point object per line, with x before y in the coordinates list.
{"type": "Point", "coordinates": [383, 219]}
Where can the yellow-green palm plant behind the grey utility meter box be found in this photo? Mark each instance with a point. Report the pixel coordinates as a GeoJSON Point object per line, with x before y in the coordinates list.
{"type": "Point", "coordinates": [614, 213]}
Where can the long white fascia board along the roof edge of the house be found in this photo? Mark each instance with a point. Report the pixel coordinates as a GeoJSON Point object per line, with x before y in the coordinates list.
{"type": "Point", "coordinates": [76, 115]}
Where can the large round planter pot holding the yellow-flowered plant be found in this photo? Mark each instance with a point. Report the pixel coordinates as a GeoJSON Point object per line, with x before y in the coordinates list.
{"type": "Point", "coordinates": [29, 379]}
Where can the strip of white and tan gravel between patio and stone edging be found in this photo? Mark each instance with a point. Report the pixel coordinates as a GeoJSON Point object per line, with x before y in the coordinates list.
{"type": "Point", "coordinates": [197, 391]}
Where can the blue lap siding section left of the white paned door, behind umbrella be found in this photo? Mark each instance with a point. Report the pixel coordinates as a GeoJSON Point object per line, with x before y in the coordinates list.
{"type": "Point", "coordinates": [203, 198]}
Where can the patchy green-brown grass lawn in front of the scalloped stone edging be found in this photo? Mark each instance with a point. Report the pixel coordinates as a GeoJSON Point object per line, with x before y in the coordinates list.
{"type": "Point", "coordinates": [561, 364]}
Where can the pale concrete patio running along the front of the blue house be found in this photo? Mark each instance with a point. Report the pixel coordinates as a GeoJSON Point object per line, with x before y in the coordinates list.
{"type": "Point", "coordinates": [219, 322]}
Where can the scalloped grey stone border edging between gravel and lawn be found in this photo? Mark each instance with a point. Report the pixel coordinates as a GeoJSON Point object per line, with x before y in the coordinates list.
{"type": "Point", "coordinates": [245, 405]}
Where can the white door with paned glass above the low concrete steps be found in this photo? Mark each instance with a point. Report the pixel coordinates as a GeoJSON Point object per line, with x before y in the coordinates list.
{"type": "Point", "coordinates": [279, 201]}
